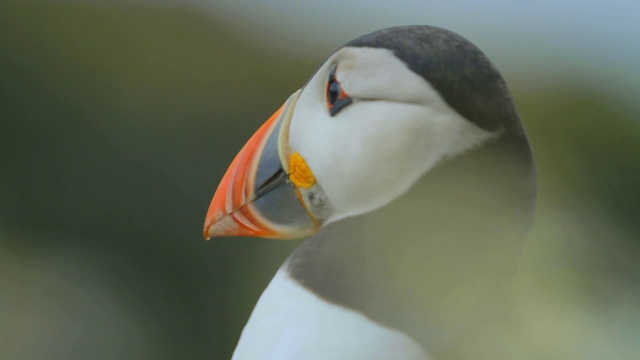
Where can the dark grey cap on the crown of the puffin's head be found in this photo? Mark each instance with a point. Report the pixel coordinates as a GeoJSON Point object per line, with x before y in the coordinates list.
{"type": "Point", "coordinates": [457, 69]}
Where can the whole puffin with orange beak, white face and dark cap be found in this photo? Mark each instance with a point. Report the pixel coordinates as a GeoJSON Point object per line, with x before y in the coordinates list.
{"type": "Point", "coordinates": [405, 167]}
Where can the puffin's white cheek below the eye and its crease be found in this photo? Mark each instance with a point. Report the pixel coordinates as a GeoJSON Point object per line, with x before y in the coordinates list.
{"type": "Point", "coordinates": [371, 156]}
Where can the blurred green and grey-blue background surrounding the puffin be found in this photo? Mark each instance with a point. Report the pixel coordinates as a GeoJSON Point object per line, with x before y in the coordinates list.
{"type": "Point", "coordinates": [118, 118]}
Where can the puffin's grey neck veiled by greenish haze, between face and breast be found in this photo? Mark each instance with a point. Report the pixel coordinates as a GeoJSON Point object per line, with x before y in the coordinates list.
{"type": "Point", "coordinates": [437, 263]}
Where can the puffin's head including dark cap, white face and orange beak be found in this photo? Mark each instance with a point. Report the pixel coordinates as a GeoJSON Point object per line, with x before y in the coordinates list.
{"type": "Point", "coordinates": [375, 117]}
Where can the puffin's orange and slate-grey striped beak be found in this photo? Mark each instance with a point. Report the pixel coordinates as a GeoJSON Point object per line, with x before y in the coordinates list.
{"type": "Point", "coordinates": [255, 197]}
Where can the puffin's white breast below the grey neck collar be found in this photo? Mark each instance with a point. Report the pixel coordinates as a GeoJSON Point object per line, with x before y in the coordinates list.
{"type": "Point", "coordinates": [290, 322]}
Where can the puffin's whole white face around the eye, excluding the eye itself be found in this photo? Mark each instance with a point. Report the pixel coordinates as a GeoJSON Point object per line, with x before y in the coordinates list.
{"type": "Point", "coordinates": [372, 151]}
